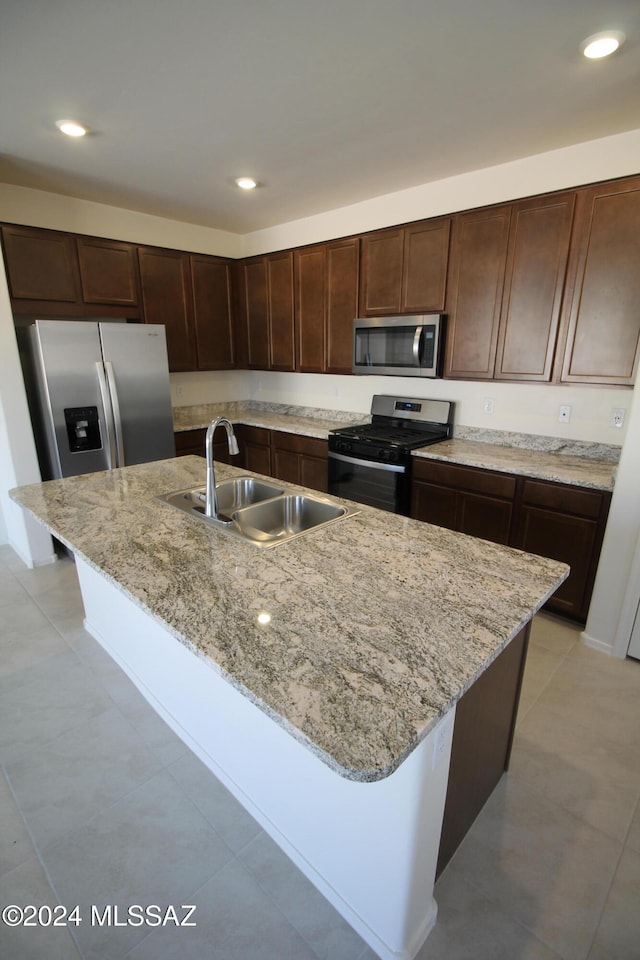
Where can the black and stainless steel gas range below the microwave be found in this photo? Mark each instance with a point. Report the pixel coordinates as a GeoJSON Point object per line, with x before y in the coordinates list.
{"type": "Point", "coordinates": [371, 462]}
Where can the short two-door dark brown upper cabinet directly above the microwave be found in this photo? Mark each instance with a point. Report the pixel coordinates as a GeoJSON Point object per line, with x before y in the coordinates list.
{"type": "Point", "coordinates": [404, 270]}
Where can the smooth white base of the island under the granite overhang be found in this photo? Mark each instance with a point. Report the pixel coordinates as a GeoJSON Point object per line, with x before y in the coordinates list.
{"type": "Point", "coordinates": [371, 848]}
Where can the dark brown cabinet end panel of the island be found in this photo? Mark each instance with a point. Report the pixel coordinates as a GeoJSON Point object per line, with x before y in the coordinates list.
{"type": "Point", "coordinates": [482, 739]}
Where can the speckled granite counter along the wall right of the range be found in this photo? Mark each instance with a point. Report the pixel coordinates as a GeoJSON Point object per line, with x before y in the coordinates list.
{"type": "Point", "coordinates": [544, 465]}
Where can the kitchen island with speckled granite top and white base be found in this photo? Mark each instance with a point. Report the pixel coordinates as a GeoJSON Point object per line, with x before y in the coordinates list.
{"type": "Point", "coordinates": [318, 679]}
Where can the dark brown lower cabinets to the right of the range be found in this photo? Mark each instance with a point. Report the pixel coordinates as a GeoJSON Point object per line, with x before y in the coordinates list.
{"type": "Point", "coordinates": [555, 520]}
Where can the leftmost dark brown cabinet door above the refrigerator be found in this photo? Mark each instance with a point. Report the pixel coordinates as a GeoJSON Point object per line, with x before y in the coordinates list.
{"type": "Point", "coordinates": [41, 265]}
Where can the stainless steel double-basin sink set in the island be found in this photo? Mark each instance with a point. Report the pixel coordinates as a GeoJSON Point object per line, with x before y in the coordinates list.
{"type": "Point", "coordinates": [258, 512]}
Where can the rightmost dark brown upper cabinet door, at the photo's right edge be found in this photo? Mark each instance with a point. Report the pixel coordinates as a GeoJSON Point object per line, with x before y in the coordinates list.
{"type": "Point", "coordinates": [603, 316]}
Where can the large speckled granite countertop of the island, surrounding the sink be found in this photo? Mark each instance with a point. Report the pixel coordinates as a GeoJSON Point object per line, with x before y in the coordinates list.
{"type": "Point", "coordinates": [378, 623]}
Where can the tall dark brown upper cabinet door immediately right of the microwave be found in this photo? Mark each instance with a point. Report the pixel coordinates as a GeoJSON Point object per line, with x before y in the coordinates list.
{"type": "Point", "coordinates": [476, 279]}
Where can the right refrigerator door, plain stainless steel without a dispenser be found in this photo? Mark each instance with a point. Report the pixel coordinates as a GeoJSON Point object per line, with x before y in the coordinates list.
{"type": "Point", "coordinates": [136, 365]}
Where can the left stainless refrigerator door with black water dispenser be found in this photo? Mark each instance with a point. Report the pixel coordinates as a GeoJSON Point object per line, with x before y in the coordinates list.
{"type": "Point", "coordinates": [73, 420]}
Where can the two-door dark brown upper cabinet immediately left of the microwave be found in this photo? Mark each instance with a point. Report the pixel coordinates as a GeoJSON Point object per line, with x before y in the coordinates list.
{"type": "Point", "coordinates": [326, 303]}
